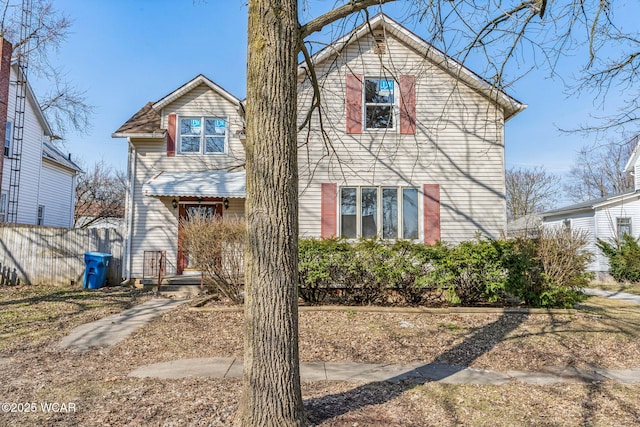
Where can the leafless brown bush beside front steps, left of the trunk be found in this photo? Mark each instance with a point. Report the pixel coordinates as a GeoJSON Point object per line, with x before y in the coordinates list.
{"type": "Point", "coordinates": [215, 246]}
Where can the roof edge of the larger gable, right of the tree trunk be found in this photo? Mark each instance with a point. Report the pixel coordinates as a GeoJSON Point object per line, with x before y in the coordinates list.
{"type": "Point", "coordinates": [510, 105]}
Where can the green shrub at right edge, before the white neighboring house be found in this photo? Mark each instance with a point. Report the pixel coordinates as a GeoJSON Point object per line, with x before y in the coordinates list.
{"type": "Point", "coordinates": [624, 258]}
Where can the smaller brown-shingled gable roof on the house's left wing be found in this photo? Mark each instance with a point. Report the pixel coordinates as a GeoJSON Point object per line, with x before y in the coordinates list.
{"type": "Point", "coordinates": [146, 123]}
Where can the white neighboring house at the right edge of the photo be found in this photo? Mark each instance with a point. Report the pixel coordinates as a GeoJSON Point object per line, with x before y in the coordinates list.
{"type": "Point", "coordinates": [607, 218]}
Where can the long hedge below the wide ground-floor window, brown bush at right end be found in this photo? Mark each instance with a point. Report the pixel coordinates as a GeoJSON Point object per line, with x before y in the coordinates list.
{"type": "Point", "coordinates": [546, 271]}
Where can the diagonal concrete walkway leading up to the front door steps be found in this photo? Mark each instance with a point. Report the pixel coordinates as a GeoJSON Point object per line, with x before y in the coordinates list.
{"type": "Point", "coordinates": [113, 329]}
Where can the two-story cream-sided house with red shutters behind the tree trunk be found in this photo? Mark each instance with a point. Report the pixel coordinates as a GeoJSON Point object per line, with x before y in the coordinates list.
{"type": "Point", "coordinates": [405, 143]}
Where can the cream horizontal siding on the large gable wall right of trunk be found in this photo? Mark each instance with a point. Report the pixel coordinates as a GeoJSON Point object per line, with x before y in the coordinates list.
{"type": "Point", "coordinates": [458, 143]}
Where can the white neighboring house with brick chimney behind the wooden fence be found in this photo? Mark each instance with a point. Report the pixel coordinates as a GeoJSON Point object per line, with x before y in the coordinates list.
{"type": "Point", "coordinates": [47, 184]}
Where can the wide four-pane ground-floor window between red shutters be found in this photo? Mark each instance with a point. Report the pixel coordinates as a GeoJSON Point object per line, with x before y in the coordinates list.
{"type": "Point", "coordinates": [387, 212]}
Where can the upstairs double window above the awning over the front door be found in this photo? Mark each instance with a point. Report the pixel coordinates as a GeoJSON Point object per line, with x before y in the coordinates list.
{"type": "Point", "coordinates": [204, 135]}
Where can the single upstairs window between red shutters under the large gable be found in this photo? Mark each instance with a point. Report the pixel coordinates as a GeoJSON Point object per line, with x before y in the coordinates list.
{"type": "Point", "coordinates": [379, 96]}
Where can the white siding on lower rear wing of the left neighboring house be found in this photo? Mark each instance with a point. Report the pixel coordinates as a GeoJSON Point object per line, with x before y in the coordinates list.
{"type": "Point", "coordinates": [57, 195]}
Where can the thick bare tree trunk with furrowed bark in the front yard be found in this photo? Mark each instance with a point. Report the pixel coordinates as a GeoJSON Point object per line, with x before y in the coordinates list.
{"type": "Point", "coordinates": [271, 380]}
